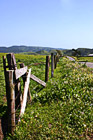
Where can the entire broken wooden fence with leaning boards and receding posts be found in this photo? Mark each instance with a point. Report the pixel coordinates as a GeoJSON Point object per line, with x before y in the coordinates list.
{"type": "Point", "coordinates": [15, 98]}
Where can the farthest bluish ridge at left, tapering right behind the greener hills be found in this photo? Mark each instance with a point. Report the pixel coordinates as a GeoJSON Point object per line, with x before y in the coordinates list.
{"type": "Point", "coordinates": [21, 49]}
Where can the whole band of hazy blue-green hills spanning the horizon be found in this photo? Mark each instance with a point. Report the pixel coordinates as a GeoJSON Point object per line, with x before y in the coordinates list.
{"type": "Point", "coordinates": [42, 50]}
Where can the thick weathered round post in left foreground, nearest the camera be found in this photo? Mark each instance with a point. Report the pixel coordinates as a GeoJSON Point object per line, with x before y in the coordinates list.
{"type": "Point", "coordinates": [10, 100]}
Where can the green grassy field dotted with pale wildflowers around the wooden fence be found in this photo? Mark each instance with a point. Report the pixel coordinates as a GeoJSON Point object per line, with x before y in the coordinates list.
{"type": "Point", "coordinates": [62, 110]}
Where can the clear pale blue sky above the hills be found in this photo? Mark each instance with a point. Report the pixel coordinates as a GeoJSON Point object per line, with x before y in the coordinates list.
{"type": "Point", "coordinates": [48, 23]}
